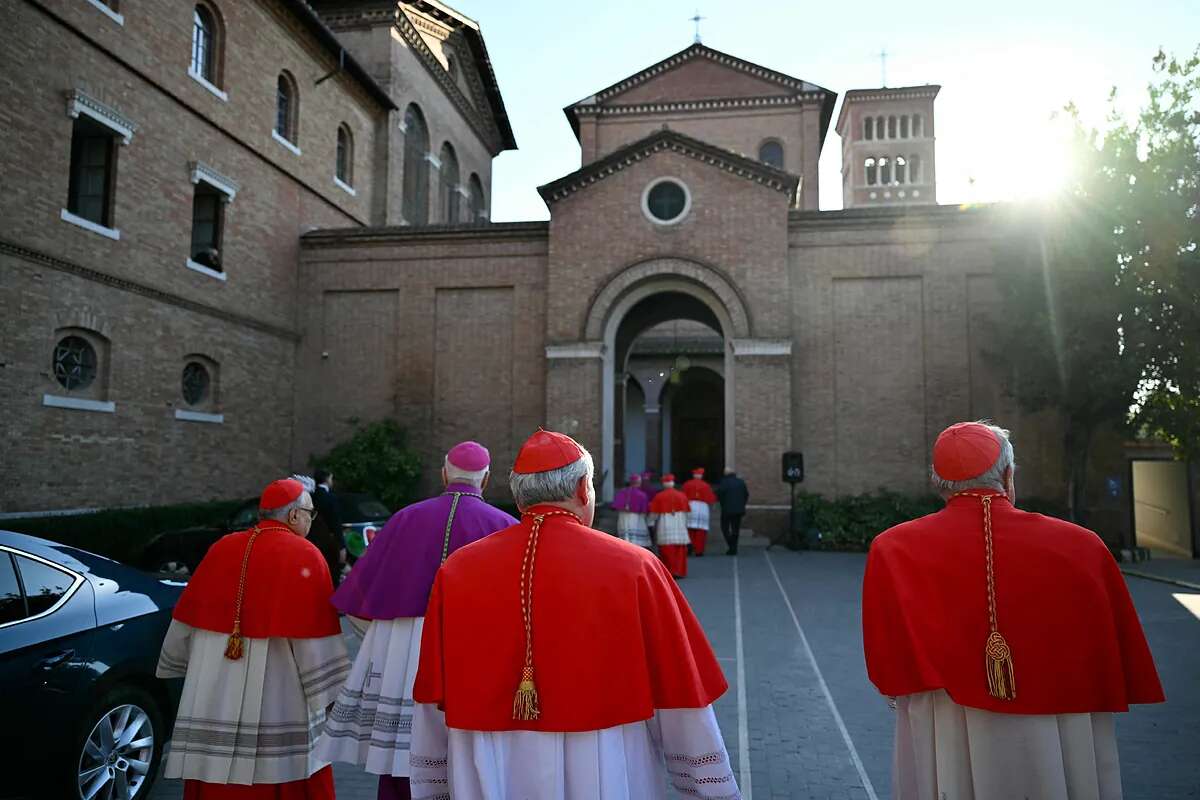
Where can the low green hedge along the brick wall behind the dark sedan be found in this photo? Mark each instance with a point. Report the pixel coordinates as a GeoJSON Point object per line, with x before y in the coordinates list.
{"type": "Point", "coordinates": [121, 534]}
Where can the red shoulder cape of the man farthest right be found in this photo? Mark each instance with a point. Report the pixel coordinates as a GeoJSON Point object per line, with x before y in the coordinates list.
{"type": "Point", "coordinates": [1061, 604]}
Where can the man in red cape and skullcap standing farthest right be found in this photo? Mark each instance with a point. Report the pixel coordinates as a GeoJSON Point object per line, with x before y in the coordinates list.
{"type": "Point", "coordinates": [1007, 639]}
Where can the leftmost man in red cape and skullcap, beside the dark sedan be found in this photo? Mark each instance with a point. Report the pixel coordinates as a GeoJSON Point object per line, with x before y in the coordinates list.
{"type": "Point", "coordinates": [262, 658]}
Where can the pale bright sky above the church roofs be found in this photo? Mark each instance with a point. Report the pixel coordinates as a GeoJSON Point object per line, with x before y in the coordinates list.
{"type": "Point", "coordinates": [1005, 70]}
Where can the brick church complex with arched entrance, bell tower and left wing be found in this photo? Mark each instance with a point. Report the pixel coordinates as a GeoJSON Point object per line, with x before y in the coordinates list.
{"type": "Point", "coordinates": [233, 231]}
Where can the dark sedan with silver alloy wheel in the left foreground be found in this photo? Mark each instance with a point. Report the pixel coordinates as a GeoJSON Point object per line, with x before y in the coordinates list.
{"type": "Point", "coordinates": [80, 640]}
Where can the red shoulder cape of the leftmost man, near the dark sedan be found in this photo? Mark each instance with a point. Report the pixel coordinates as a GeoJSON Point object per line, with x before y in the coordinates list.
{"type": "Point", "coordinates": [287, 588]}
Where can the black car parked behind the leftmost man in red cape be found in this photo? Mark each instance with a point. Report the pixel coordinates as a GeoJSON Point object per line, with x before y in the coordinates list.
{"type": "Point", "coordinates": [179, 552]}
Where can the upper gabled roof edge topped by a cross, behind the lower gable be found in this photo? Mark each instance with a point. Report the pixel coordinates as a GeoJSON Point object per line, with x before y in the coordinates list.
{"type": "Point", "coordinates": [795, 87]}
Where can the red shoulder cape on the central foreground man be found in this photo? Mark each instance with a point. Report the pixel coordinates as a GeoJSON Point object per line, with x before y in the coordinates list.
{"type": "Point", "coordinates": [614, 639]}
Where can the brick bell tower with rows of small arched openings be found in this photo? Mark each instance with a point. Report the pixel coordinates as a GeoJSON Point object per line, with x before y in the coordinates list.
{"type": "Point", "coordinates": [887, 147]}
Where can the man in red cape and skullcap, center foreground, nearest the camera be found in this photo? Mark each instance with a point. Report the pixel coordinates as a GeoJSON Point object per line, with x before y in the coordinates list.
{"type": "Point", "coordinates": [561, 663]}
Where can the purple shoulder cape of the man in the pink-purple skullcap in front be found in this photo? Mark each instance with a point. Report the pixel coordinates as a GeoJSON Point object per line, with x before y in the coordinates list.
{"type": "Point", "coordinates": [395, 576]}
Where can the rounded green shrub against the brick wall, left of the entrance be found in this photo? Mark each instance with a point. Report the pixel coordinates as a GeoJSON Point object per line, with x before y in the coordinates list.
{"type": "Point", "coordinates": [377, 461]}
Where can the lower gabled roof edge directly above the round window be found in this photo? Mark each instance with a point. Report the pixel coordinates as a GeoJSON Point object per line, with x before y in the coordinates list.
{"type": "Point", "coordinates": [673, 141]}
